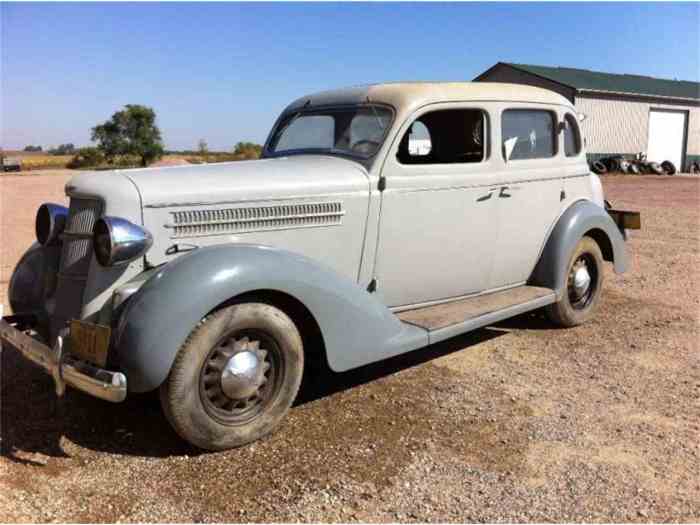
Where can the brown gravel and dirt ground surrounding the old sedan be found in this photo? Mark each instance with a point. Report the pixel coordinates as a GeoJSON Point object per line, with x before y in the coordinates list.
{"type": "Point", "coordinates": [517, 422]}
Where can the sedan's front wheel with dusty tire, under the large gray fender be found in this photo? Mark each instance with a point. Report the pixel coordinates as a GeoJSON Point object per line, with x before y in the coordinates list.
{"type": "Point", "coordinates": [193, 397]}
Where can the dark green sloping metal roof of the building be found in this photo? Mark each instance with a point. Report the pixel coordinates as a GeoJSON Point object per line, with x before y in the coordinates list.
{"type": "Point", "coordinates": [582, 79]}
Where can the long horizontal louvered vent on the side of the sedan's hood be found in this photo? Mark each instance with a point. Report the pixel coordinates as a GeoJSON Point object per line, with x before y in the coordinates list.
{"type": "Point", "coordinates": [197, 223]}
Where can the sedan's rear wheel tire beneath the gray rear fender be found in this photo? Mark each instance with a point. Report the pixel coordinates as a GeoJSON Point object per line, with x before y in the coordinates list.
{"type": "Point", "coordinates": [573, 308]}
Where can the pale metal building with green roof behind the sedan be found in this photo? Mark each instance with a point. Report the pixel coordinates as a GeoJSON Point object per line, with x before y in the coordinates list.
{"type": "Point", "coordinates": [625, 114]}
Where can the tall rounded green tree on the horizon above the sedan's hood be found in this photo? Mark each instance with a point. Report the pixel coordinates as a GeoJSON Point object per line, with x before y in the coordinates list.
{"type": "Point", "coordinates": [131, 131]}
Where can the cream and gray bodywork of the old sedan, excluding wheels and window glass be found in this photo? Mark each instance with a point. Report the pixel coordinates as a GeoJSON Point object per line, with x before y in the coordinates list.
{"type": "Point", "coordinates": [363, 247]}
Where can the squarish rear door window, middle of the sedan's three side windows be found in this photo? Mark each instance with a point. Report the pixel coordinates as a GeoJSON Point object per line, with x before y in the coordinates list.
{"type": "Point", "coordinates": [527, 134]}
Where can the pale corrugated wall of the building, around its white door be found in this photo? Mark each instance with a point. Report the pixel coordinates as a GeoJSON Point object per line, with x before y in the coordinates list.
{"type": "Point", "coordinates": [620, 125]}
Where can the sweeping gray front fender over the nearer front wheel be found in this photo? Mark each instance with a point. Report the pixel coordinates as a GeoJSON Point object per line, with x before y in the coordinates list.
{"type": "Point", "coordinates": [357, 329]}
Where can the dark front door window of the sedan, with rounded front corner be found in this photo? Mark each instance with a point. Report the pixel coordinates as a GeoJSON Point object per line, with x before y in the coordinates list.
{"type": "Point", "coordinates": [446, 136]}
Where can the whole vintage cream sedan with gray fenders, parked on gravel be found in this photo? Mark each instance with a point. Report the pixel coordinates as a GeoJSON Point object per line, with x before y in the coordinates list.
{"type": "Point", "coordinates": [379, 220]}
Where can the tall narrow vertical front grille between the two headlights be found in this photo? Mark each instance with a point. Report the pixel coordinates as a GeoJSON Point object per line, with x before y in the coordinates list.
{"type": "Point", "coordinates": [76, 255]}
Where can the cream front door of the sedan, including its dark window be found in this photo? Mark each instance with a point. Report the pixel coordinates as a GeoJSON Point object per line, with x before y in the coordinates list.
{"type": "Point", "coordinates": [438, 223]}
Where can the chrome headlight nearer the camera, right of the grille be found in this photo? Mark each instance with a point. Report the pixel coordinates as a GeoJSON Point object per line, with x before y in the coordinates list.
{"type": "Point", "coordinates": [117, 241]}
